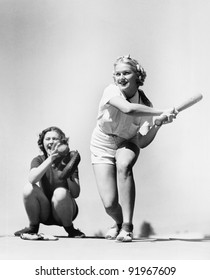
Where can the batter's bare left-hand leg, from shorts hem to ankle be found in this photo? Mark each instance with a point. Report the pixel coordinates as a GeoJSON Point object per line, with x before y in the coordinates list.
{"type": "Point", "coordinates": [105, 175]}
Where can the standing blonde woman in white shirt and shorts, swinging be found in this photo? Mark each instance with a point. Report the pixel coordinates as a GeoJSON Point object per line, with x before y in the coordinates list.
{"type": "Point", "coordinates": [124, 126]}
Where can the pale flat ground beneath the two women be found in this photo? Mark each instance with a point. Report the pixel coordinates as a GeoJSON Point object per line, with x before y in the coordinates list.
{"type": "Point", "coordinates": [91, 248]}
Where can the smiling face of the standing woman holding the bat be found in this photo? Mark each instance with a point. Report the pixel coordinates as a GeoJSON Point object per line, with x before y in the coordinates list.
{"type": "Point", "coordinates": [126, 79]}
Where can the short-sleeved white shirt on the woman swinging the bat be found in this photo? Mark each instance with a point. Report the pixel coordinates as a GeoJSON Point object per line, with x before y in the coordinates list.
{"type": "Point", "coordinates": [112, 121]}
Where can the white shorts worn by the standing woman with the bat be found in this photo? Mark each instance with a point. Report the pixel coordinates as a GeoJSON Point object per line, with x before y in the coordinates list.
{"type": "Point", "coordinates": [103, 147]}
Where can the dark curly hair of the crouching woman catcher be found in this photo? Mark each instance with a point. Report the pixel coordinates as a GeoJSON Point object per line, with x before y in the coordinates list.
{"type": "Point", "coordinates": [62, 137]}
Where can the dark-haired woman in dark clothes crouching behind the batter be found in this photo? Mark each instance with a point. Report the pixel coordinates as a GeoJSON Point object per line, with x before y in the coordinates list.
{"type": "Point", "coordinates": [49, 197]}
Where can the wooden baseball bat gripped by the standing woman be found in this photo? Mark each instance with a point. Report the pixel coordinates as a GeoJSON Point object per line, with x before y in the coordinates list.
{"type": "Point", "coordinates": [184, 105]}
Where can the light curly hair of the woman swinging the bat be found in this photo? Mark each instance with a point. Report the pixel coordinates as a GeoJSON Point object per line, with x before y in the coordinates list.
{"type": "Point", "coordinates": [136, 67]}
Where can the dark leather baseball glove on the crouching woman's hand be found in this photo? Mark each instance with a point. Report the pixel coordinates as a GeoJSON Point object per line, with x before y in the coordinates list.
{"type": "Point", "coordinates": [71, 165]}
